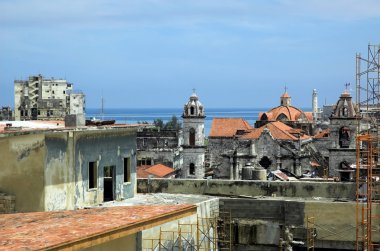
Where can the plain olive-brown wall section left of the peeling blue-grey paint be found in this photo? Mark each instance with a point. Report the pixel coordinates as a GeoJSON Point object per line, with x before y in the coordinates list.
{"type": "Point", "coordinates": [22, 170]}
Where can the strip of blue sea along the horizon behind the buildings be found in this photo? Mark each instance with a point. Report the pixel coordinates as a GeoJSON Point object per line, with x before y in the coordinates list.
{"type": "Point", "coordinates": [134, 115]}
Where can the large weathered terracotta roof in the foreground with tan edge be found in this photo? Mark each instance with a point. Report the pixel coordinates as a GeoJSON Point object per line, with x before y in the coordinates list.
{"type": "Point", "coordinates": [69, 229]}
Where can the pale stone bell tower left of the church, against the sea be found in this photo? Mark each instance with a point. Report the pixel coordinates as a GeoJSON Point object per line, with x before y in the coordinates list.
{"type": "Point", "coordinates": [193, 139]}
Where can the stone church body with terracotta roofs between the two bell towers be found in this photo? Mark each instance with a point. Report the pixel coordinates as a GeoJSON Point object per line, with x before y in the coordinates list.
{"type": "Point", "coordinates": [234, 144]}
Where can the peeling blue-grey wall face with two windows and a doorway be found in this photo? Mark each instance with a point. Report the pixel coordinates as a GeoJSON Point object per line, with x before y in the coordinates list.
{"type": "Point", "coordinates": [107, 148]}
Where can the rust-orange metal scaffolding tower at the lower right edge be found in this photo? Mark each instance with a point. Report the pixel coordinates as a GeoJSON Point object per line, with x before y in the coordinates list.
{"type": "Point", "coordinates": [367, 193]}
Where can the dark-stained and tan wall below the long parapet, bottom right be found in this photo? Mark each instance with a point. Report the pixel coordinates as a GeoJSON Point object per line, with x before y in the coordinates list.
{"type": "Point", "coordinates": [262, 221]}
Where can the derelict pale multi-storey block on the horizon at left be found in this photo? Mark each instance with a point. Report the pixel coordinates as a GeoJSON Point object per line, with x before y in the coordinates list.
{"type": "Point", "coordinates": [46, 99]}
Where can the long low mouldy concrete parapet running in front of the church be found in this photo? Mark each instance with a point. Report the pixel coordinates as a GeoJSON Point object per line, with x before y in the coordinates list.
{"type": "Point", "coordinates": [248, 188]}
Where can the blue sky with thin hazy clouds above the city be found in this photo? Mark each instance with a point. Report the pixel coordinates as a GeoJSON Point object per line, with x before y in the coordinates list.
{"type": "Point", "coordinates": [152, 53]}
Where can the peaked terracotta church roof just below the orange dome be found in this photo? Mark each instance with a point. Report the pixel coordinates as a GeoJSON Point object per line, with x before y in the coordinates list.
{"type": "Point", "coordinates": [278, 130]}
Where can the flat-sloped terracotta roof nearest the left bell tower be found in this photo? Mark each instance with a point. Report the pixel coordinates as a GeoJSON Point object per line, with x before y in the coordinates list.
{"type": "Point", "coordinates": [227, 127]}
